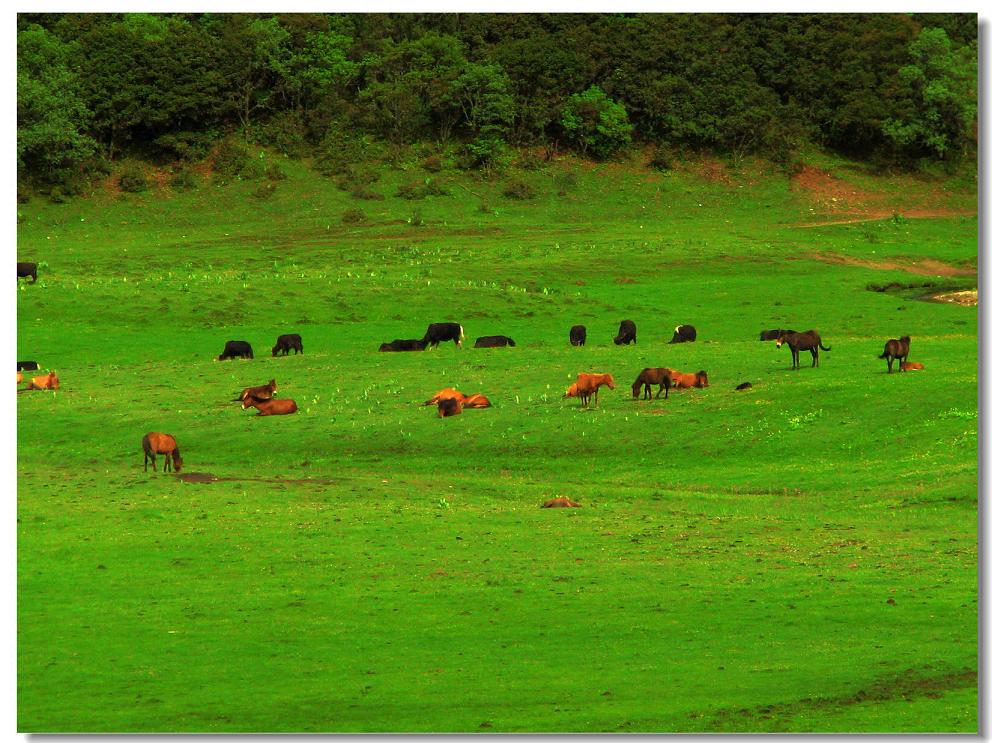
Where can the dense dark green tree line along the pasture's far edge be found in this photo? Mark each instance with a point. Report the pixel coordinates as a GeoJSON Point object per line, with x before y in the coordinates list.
{"type": "Point", "coordinates": [893, 88]}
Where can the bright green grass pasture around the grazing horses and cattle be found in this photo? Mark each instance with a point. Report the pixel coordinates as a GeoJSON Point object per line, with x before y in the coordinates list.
{"type": "Point", "coordinates": [798, 557]}
